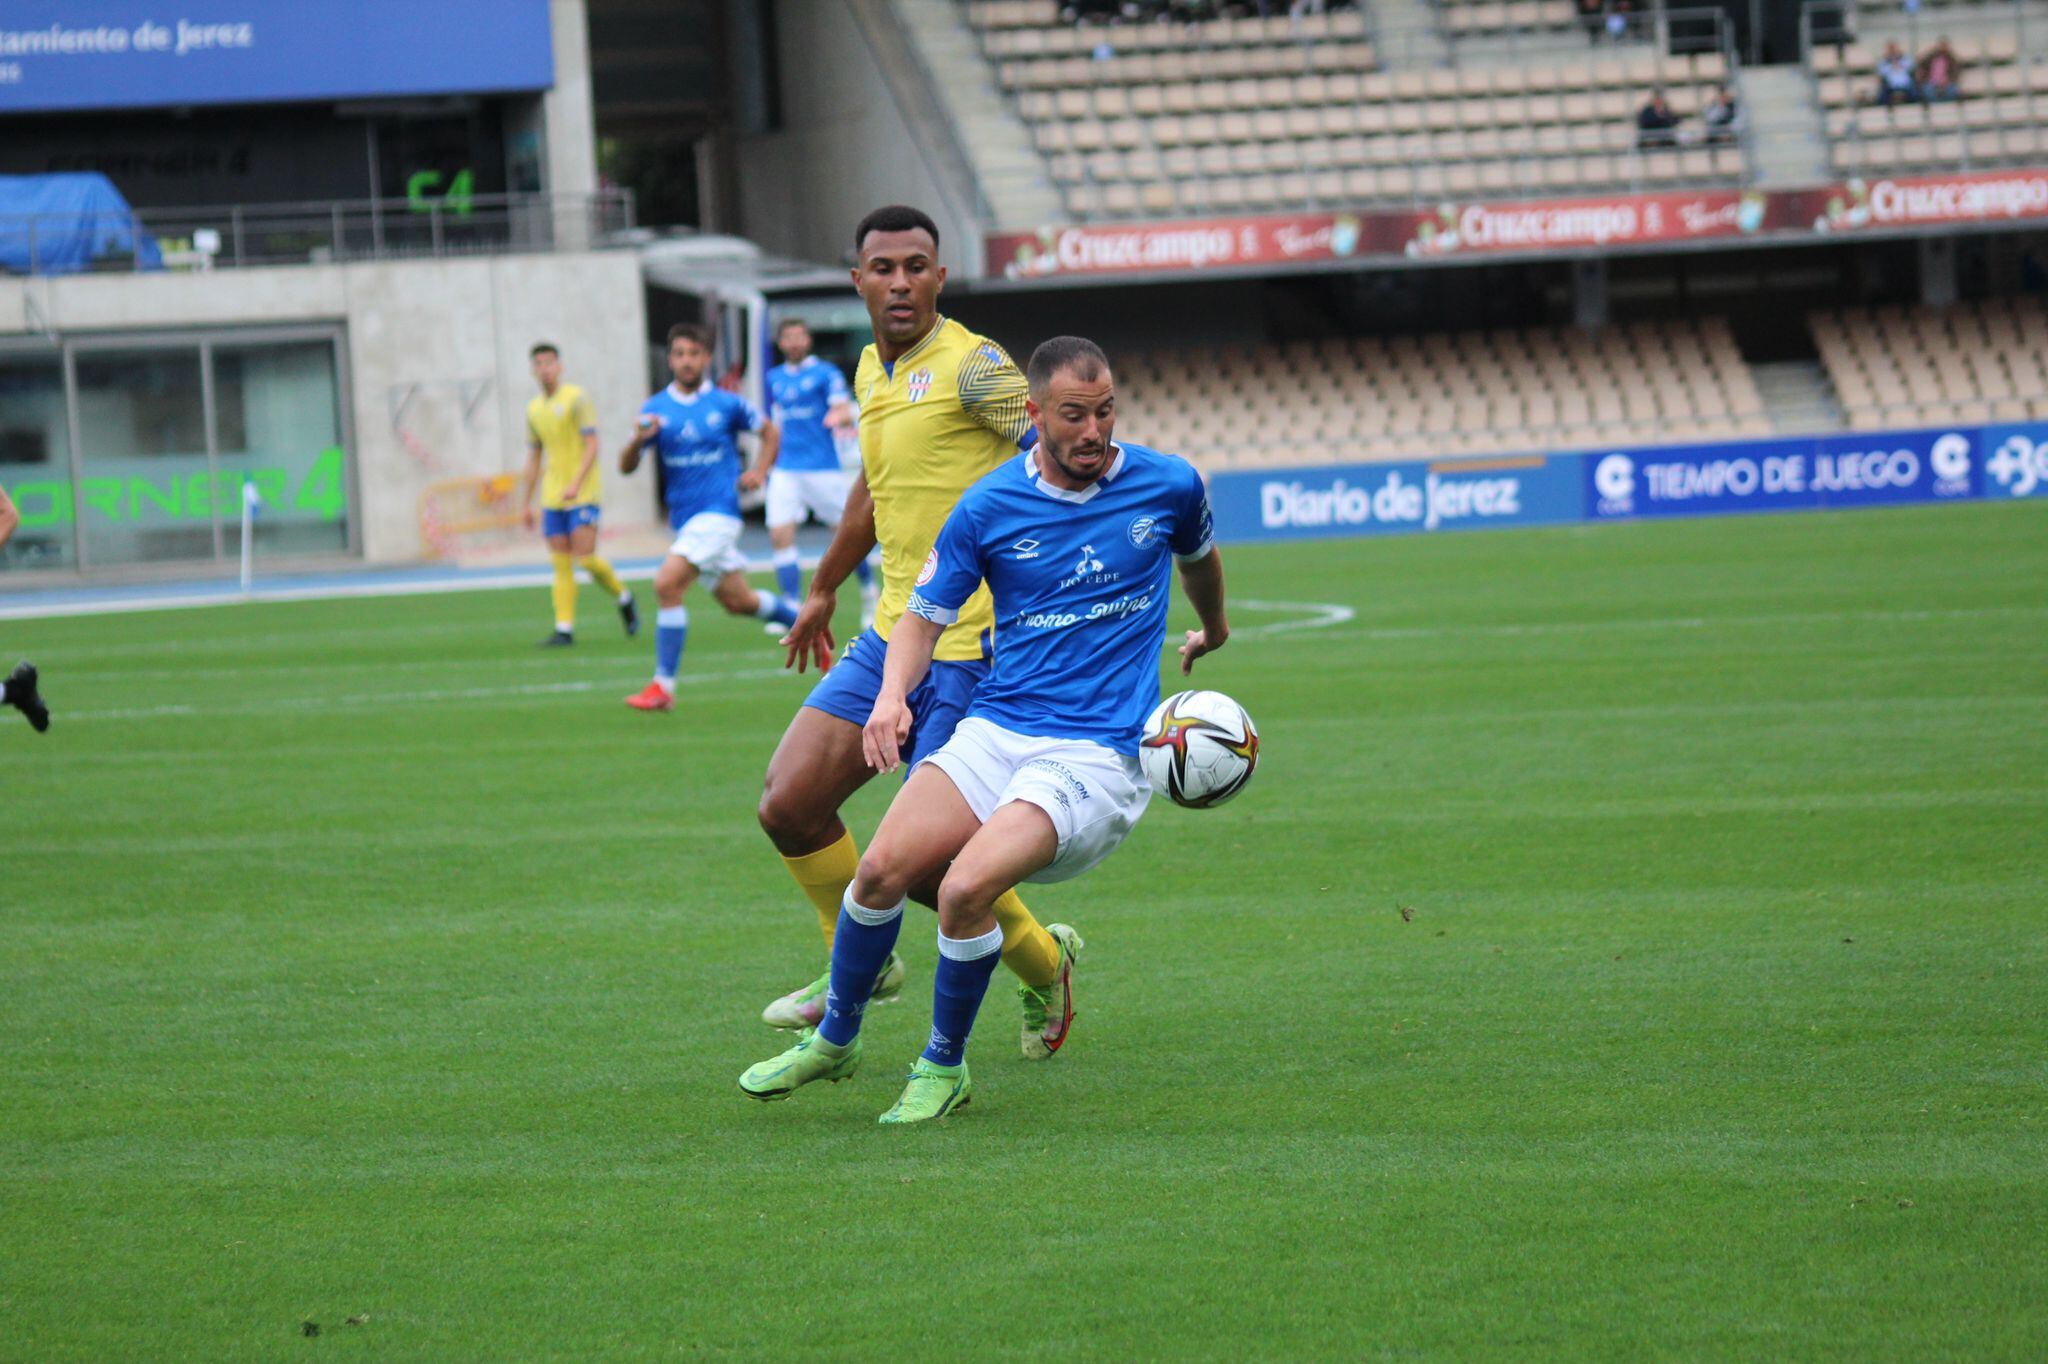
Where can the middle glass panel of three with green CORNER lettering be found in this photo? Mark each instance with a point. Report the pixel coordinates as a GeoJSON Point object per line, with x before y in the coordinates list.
{"type": "Point", "coordinates": [146, 493]}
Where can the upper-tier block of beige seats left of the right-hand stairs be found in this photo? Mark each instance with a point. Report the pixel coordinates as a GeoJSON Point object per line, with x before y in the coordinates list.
{"type": "Point", "coordinates": [1277, 114]}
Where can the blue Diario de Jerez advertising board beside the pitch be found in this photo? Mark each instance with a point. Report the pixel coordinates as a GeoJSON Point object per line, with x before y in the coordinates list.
{"type": "Point", "coordinates": [1396, 499]}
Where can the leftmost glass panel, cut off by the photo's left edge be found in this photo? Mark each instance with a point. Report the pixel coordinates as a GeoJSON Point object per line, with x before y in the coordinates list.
{"type": "Point", "coordinates": [36, 462]}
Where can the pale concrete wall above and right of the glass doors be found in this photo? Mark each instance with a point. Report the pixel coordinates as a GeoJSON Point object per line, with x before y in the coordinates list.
{"type": "Point", "coordinates": [425, 341]}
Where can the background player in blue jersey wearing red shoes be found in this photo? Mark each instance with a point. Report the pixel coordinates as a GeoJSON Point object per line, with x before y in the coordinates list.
{"type": "Point", "coordinates": [693, 429]}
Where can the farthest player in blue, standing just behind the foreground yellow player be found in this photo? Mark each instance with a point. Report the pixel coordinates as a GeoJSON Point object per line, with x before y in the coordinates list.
{"type": "Point", "coordinates": [810, 402]}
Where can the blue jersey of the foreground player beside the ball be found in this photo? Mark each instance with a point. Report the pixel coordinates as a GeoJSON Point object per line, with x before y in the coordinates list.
{"type": "Point", "coordinates": [1080, 585]}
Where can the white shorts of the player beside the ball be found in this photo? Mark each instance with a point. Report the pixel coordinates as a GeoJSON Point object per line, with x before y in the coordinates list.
{"type": "Point", "coordinates": [1093, 794]}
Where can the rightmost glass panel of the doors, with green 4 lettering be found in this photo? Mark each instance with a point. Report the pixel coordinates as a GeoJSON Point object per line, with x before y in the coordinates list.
{"type": "Point", "coordinates": [278, 423]}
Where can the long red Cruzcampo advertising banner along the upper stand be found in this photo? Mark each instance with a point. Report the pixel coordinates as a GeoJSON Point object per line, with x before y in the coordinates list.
{"type": "Point", "coordinates": [1531, 226]}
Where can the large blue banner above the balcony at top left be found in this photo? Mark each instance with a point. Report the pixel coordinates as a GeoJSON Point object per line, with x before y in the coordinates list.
{"type": "Point", "coordinates": [136, 54]}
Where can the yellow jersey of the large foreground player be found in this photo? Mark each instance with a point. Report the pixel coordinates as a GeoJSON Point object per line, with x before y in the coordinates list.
{"type": "Point", "coordinates": [947, 413]}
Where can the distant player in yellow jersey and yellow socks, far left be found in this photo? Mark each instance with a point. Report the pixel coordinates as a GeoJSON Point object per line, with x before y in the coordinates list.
{"type": "Point", "coordinates": [562, 443]}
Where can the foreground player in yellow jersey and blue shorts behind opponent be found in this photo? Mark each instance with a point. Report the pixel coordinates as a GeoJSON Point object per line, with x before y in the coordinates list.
{"type": "Point", "coordinates": [939, 409]}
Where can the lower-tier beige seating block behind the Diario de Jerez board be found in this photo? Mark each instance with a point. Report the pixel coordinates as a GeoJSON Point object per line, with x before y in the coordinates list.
{"type": "Point", "coordinates": [1445, 394]}
